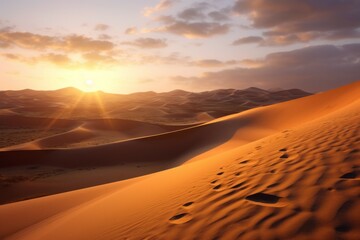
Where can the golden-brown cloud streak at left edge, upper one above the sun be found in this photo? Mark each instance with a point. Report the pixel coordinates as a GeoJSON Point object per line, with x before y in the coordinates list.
{"type": "Point", "coordinates": [68, 43]}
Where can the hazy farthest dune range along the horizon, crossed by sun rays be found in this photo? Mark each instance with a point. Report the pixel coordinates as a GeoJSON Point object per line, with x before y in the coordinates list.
{"type": "Point", "coordinates": [175, 107]}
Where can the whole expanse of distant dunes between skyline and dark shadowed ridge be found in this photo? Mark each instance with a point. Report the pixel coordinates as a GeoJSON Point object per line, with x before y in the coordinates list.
{"type": "Point", "coordinates": [64, 118]}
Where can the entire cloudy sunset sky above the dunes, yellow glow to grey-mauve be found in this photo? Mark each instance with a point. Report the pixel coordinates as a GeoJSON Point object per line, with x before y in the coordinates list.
{"type": "Point", "coordinates": [160, 45]}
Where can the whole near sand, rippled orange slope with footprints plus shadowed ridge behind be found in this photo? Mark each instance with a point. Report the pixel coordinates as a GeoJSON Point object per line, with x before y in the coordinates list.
{"type": "Point", "coordinates": [284, 171]}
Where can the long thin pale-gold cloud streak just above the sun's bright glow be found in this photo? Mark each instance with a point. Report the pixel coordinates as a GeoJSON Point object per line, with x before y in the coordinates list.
{"type": "Point", "coordinates": [90, 60]}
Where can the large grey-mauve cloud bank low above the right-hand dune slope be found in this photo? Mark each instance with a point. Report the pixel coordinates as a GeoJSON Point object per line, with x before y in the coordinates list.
{"type": "Point", "coordinates": [314, 68]}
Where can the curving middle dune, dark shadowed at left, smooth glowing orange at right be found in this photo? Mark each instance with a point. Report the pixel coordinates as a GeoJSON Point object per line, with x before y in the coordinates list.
{"type": "Point", "coordinates": [244, 127]}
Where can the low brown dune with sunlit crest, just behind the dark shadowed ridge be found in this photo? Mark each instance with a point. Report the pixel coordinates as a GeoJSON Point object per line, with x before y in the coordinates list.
{"type": "Point", "coordinates": [92, 132]}
